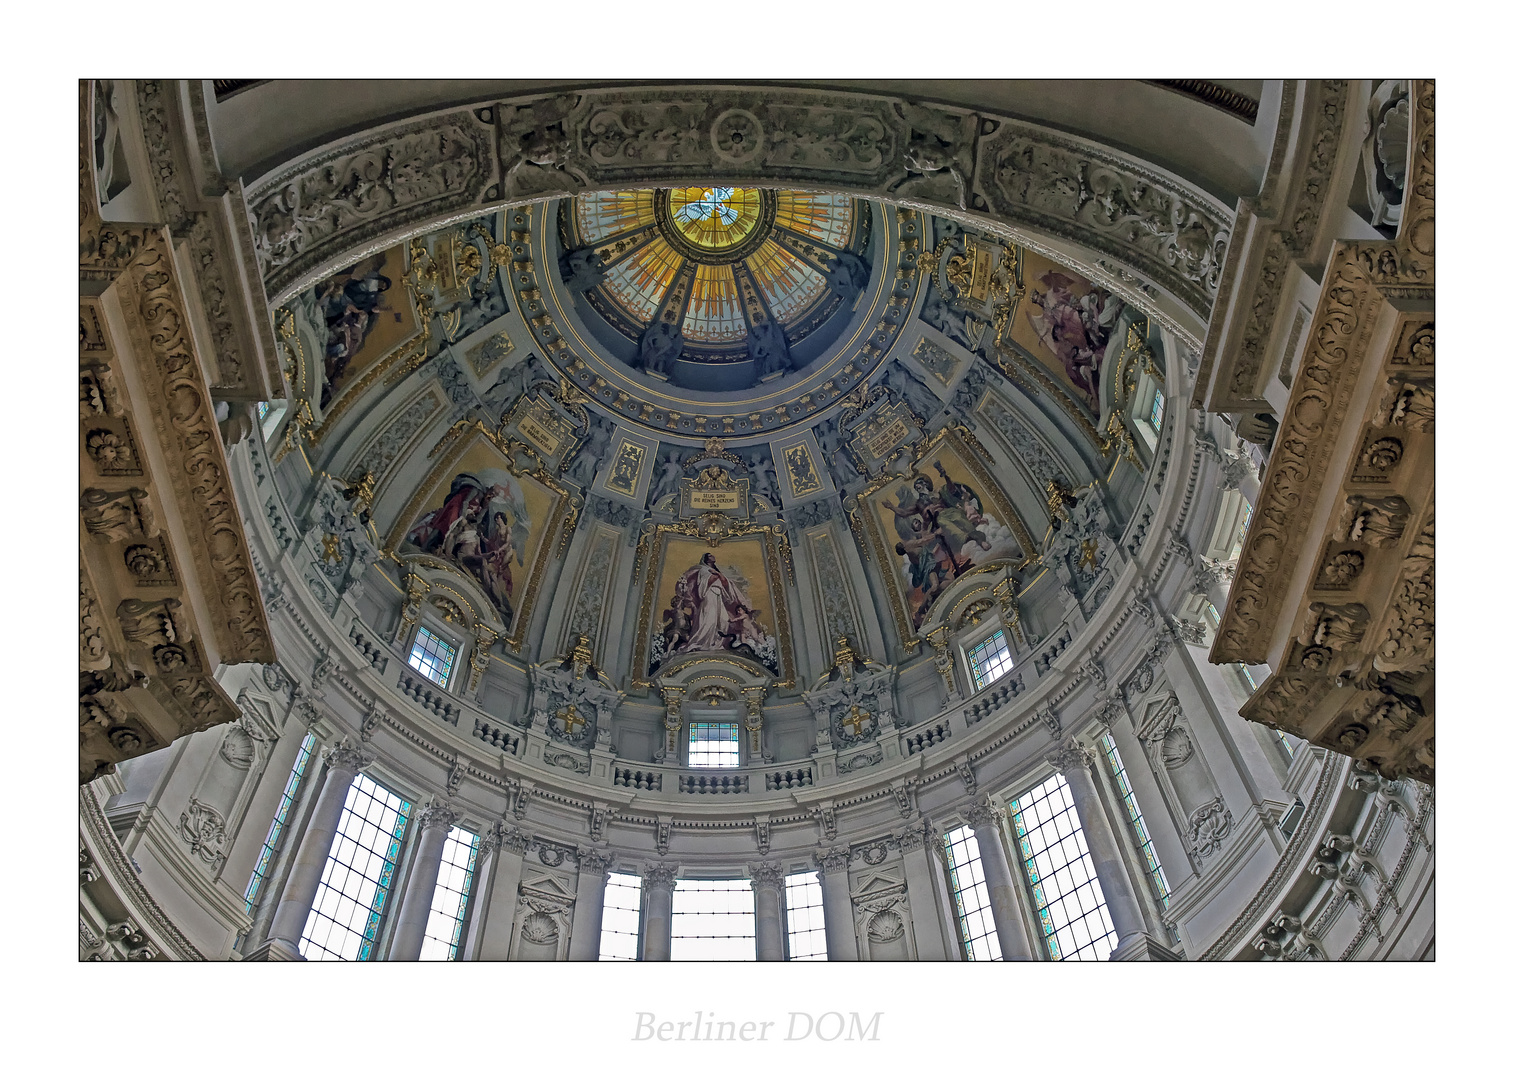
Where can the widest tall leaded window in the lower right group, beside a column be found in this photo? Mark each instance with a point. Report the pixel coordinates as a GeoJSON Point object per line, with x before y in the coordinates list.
{"type": "Point", "coordinates": [1074, 919]}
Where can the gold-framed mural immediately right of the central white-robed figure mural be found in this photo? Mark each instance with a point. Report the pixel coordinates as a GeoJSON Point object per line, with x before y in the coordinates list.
{"type": "Point", "coordinates": [944, 520]}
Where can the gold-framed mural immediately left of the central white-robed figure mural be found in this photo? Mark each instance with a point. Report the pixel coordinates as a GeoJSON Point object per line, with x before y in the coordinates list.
{"type": "Point", "coordinates": [488, 519]}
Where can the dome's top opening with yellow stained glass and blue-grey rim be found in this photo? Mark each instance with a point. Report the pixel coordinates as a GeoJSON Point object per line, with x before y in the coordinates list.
{"type": "Point", "coordinates": [715, 289]}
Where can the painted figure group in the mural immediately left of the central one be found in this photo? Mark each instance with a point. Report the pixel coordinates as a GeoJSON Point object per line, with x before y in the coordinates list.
{"type": "Point", "coordinates": [482, 526]}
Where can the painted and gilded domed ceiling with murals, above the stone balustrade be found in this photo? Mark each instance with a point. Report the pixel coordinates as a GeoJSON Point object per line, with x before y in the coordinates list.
{"type": "Point", "coordinates": [565, 420]}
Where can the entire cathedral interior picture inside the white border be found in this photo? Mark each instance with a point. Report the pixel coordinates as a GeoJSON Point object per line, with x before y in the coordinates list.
{"type": "Point", "coordinates": [777, 485]}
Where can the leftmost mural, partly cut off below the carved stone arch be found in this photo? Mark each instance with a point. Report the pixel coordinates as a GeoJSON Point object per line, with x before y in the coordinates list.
{"type": "Point", "coordinates": [360, 316]}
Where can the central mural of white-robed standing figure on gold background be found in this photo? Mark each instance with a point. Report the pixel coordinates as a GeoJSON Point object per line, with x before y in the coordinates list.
{"type": "Point", "coordinates": [714, 601]}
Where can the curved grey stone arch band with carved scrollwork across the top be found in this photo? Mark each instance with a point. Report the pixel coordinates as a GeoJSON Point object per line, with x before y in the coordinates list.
{"type": "Point", "coordinates": [382, 186]}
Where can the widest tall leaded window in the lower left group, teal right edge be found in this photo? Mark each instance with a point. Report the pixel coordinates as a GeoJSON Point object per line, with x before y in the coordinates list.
{"type": "Point", "coordinates": [360, 875]}
